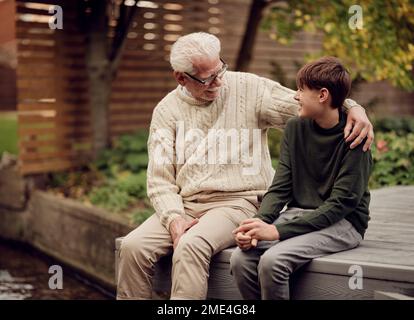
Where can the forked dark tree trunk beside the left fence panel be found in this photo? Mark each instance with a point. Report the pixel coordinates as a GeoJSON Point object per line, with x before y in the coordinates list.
{"type": "Point", "coordinates": [103, 56]}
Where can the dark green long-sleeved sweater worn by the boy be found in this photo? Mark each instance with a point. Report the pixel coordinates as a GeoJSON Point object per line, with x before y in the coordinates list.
{"type": "Point", "coordinates": [317, 170]}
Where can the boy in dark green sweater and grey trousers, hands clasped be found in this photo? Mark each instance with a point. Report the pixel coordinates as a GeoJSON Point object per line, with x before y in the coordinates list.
{"type": "Point", "coordinates": [321, 180]}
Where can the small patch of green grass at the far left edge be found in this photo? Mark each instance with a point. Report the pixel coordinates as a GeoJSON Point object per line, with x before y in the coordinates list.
{"type": "Point", "coordinates": [8, 132]}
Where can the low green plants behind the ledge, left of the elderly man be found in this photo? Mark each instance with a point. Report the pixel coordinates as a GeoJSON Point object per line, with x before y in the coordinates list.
{"type": "Point", "coordinates": [116, 181]}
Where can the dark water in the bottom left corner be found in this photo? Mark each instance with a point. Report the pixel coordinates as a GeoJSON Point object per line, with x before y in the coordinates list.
{"type": "Point", "coordinates": [24, 274]}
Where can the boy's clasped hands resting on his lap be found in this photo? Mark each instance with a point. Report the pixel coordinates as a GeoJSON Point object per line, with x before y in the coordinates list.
{"type": "Point", "coordinates": [253, 230]}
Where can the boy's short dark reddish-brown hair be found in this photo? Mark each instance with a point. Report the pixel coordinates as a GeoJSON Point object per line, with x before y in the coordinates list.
{"type": "Point", "coordinates": [329, 73]}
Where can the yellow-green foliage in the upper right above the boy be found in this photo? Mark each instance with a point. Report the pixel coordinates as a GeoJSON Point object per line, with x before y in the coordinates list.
{"type": "Point", "coordinates": [382, 49]}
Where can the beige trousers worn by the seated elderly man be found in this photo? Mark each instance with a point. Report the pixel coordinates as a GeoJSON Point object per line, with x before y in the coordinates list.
{"type": "Point", "coordinates": [145, 245]}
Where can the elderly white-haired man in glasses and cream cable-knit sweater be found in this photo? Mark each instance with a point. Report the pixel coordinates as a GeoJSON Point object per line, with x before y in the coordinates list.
{"type": "Point", "coordinates": [199, 187]}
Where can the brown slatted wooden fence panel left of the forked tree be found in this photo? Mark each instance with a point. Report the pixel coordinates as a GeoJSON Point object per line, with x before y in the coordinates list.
{"type": "Point", "coordinates": [53, 113]}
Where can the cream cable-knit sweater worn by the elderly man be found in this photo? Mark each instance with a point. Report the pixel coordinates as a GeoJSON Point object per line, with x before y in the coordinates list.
{"type": "Point", "coordinates": [181, 132]}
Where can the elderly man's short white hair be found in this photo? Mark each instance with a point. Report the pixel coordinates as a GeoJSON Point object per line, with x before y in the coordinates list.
{"type": "Point", "coordinates": [192, 46]}
